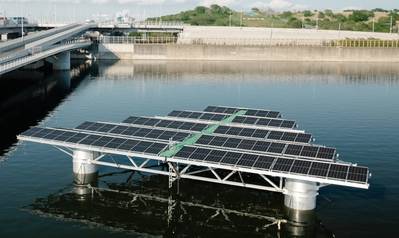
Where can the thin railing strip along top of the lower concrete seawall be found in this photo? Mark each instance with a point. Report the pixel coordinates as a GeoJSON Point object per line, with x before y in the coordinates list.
{"type": "Point", "coordinates": [363, 43]}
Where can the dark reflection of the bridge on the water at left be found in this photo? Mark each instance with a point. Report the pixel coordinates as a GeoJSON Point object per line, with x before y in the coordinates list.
{"type": "Point", "coordinates": [26, 97]}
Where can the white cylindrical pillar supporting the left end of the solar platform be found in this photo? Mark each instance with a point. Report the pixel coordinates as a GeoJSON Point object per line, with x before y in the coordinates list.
{"type": "Point", "coordinates": [84, 171]}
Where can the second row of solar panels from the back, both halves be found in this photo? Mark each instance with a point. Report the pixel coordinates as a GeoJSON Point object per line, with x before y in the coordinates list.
{"type": "Point", "coordinates": [269, 122]}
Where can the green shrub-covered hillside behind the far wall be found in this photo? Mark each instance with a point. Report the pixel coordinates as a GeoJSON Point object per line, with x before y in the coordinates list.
{"type": "Point", "coordinates": [356, 20]}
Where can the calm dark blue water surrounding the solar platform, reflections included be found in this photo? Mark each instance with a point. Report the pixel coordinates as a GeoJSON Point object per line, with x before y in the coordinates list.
{"type": "Point", "coordinates": [354, 107]}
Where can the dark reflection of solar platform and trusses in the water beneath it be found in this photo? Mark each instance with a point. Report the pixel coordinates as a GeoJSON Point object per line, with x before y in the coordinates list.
{"type": "Point", "coordinates": [143, 204]}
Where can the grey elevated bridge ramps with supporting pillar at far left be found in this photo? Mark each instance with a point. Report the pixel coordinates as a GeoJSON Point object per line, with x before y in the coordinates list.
{"type": "Point", "coordinates": [52, 45]}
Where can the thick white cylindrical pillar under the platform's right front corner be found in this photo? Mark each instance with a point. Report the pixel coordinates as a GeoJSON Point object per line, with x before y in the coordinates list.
{"type": "Point", "coordinates": [300, 195]}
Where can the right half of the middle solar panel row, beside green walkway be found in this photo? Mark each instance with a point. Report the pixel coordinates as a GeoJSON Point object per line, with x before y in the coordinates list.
{"type": "Point", "coordinates": [264, 134]}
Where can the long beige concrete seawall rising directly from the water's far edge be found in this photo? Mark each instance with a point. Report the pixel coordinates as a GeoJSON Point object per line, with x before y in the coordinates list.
{"type": "Point", "coordinates": [259, 53]}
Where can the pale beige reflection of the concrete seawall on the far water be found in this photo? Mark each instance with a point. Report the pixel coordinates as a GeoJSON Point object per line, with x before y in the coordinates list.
{"type": "Point", "coordinates": [365, 73]}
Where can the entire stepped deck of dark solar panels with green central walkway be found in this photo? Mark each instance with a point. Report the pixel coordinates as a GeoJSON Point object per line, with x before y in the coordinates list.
{"type": "Point", "coordinates": [222, 144]}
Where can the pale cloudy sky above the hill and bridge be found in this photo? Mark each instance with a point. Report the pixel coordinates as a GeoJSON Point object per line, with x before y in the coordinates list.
{"type": "Point", "coordinates": [68, 10]}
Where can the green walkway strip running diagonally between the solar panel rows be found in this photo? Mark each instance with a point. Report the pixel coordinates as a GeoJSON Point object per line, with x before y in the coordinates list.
{"type": "Point", "coordinates": [191, 140]}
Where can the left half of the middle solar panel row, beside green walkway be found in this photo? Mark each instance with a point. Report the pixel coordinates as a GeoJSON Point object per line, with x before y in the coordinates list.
{"type": "Point", "coordinates": [190, 126]}
